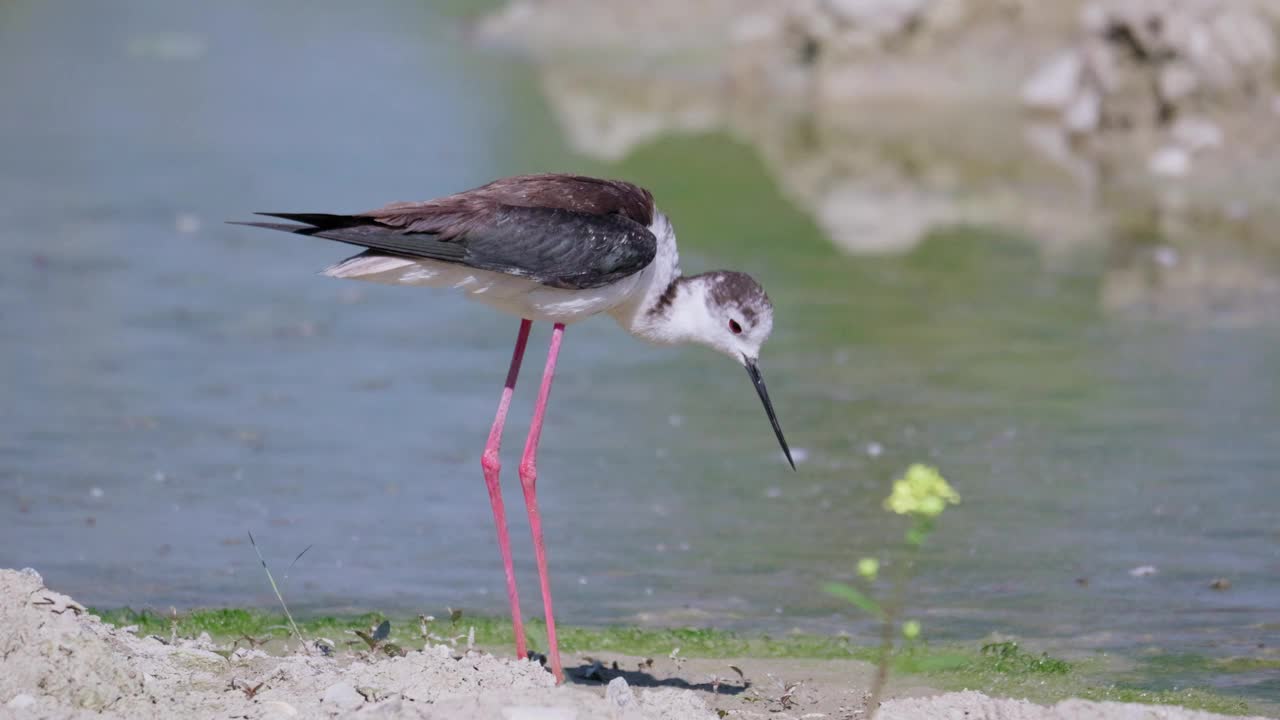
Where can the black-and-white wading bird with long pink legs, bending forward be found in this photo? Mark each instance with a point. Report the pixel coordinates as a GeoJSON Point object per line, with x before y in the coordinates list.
{"type": "Point", "coordinates": [557, 249]}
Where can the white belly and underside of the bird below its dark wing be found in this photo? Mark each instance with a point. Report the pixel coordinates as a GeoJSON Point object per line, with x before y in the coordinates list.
{"type": "Point", "coordinates": [514, 295]}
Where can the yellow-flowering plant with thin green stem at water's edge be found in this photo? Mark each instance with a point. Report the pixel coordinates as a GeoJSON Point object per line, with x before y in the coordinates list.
{"type": "Point", "coordinates": [922, 494]}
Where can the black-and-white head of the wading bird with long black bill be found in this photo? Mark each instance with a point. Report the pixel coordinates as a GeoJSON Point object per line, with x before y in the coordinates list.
{"type": "Point", "coordinates": [724, 311]}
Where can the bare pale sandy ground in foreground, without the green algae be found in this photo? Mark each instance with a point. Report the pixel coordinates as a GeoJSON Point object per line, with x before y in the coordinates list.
{"type": "Point", "coordinates": [60, 662]}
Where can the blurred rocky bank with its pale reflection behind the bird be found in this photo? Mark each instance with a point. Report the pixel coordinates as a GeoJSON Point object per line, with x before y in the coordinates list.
{"type": "Point", "coordinates": [1073, 121]}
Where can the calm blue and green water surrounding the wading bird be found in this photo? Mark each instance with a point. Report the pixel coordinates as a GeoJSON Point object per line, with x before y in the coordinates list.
{"type": "Point", "coordinates": [173, 382]}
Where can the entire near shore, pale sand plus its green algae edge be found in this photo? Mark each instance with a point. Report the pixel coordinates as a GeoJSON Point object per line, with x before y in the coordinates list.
{"type": "Point", "coordinates": [63, 660]}
